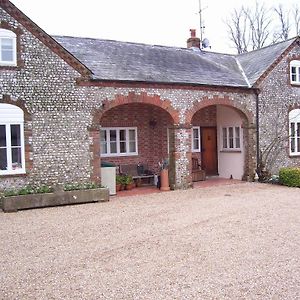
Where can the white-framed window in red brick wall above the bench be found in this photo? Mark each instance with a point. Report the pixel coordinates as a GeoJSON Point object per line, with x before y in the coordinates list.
{"type": "Point", "coordinates": [118, 141]}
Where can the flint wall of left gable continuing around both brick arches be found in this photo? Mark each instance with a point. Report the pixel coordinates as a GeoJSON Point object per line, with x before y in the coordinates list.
{"type": "Point", "coordinates": [60, 145]}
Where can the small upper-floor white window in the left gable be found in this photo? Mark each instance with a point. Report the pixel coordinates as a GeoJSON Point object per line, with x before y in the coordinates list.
{"type": "Point", "coordinates": [8, 48]}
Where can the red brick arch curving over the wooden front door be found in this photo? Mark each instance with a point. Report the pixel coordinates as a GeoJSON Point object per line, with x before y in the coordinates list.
{"type": "Point", "coordinates": [219, 101]}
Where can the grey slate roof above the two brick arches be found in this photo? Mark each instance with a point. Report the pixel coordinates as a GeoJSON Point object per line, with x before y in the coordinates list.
{"type": "Point", "coordinates": [124, 61]}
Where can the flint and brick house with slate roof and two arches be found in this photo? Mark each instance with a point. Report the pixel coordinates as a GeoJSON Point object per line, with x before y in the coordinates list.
{"type": "Point", "coordinates": [68, 103]}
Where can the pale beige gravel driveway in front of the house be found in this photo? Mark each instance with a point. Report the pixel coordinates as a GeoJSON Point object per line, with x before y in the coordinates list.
{"type": "Point", "coordinates": [228, 242]}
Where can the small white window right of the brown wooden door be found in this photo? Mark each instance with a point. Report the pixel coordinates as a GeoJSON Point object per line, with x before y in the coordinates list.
{"type": "Point", "coordinates": [231, 138]}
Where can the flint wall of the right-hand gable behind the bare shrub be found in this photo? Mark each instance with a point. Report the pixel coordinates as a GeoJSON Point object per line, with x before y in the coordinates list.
{"type": "Point", "coordinates": [276, 99]}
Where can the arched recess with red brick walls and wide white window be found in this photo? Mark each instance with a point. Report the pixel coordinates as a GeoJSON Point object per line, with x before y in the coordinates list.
{"type": "Point", "coordinates": [135, 133]}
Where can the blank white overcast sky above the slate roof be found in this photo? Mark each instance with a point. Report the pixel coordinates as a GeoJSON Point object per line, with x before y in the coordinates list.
{"type": "Point", "coordinates": [159, 22]}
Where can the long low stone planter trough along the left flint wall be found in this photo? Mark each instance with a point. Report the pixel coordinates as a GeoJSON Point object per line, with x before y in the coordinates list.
{"type": "Point", "coordinates": [14, 203]}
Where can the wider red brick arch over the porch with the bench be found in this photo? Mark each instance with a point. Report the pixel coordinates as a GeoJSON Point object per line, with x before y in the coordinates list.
{"type": "Point", "coordinates": [142, 98]}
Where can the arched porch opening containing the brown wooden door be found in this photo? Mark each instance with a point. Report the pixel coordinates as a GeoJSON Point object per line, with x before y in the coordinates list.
{"type": "Point", "coordinates": [220, 141]}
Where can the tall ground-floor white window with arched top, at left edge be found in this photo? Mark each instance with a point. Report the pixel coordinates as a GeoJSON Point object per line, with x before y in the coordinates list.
{"type": "Point", "coordinates": [12, 153]}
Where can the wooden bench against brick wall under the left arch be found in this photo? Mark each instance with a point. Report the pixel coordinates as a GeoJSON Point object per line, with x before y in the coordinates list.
{"type": "Point", "coordinates": [138, 172]}
